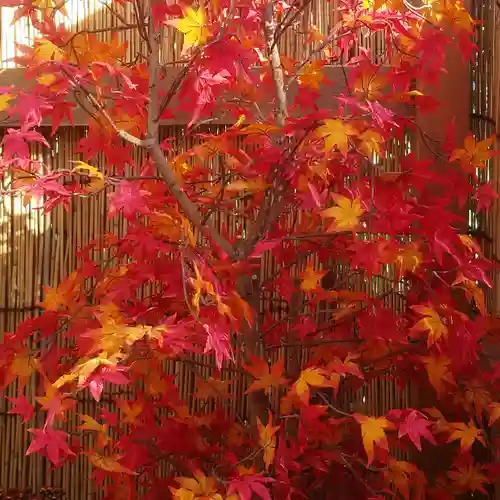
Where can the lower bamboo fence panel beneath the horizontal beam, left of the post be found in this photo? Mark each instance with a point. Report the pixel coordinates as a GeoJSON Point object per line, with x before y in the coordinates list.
{"type": "Point", "coordinates": [39, 250]}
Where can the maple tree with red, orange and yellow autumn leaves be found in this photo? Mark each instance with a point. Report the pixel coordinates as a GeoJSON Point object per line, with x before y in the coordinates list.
{"type": "Point", "coordinates": [288, 181]}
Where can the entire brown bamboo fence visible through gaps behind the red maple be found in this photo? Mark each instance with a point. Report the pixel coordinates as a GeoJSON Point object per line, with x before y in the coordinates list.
{"type": "Point", "coordinates": [38, 250]}
